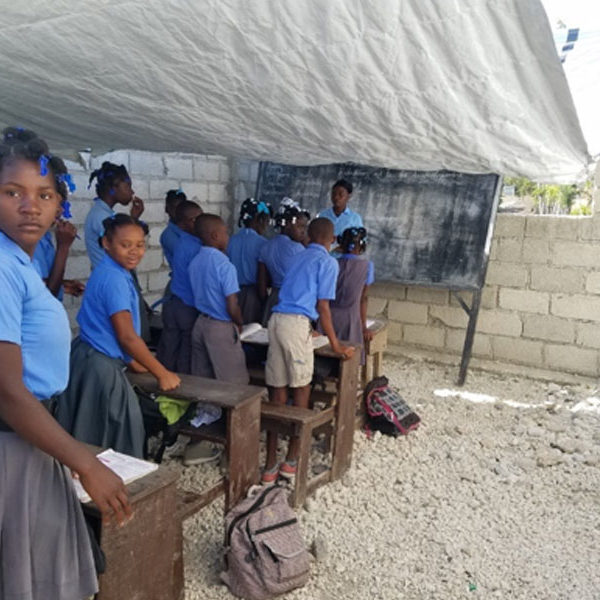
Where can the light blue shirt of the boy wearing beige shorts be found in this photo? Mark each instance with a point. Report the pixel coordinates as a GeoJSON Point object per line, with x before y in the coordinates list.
{"type": "Point", "coordinates": [312, 276]}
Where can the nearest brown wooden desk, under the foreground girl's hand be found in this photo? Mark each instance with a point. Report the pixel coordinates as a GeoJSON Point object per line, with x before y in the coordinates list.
{"type": "Point", "coordinates": [144, 558]}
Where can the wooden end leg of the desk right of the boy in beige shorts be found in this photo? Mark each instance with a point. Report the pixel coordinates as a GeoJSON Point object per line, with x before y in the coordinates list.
{"type": "Point", "coordinates": [345, 413]}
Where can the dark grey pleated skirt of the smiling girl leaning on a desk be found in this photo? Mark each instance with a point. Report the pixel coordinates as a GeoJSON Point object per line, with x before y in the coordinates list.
{"type": "Point", "coordinates": [99, 405]}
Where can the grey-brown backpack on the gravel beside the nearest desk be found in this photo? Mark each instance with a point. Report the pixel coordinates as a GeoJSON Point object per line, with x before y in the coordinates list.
{"type": "Point", "coordinates": [265, 554]}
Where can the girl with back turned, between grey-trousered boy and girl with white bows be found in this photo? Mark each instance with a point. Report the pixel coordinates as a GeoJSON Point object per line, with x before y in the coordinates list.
{"type": "Point", "coordinates": [244, 249]}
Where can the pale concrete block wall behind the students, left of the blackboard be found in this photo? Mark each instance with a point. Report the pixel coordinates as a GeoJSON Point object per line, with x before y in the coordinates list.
{"type": "Point", "coordinates": [206, 179]}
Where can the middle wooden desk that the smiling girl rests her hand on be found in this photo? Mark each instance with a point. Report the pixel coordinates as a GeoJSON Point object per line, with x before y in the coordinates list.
{"type": "Point", "coordinates": [241, 405]}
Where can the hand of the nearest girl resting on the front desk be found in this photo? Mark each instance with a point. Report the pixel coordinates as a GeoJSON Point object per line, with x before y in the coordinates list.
{"type": "Point", "coordinates": [108, 492]}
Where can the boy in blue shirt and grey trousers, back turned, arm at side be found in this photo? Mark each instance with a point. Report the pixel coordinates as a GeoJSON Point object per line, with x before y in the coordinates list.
{"type": "Point", "coordinates": [216, 347]}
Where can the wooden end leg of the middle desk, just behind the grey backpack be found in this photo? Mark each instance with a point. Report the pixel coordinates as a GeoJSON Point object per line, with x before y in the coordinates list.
{"type": "Point", "coordinates": [243, 437]}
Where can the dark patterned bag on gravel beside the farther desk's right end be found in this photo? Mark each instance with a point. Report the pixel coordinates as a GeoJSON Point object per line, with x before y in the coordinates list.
{"type": "Point", "coordinates": [386, 409]}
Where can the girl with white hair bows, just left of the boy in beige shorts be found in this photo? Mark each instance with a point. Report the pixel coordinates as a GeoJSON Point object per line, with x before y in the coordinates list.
{"type": "Point", "coordinates": [276, 254]}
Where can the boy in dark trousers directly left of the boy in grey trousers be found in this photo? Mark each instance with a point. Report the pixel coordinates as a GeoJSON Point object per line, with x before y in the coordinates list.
{"type": "Point", "coordinates": [179, 313]}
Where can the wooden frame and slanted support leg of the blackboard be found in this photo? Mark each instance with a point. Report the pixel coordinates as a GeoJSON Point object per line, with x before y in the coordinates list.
{"type": "Point", "coordinates": [476, 280]}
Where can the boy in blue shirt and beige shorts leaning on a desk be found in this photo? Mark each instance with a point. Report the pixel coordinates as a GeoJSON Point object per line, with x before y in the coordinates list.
{"type": "Point", "coordinates": [307, 288]}
